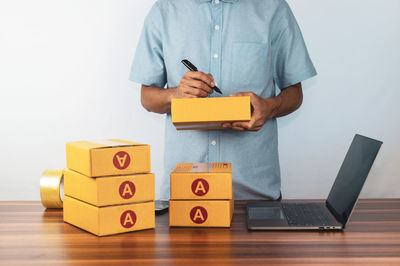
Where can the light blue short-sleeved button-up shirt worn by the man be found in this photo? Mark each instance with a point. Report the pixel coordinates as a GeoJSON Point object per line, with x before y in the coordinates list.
{"type": "Point", "coordinates": [247, 45]}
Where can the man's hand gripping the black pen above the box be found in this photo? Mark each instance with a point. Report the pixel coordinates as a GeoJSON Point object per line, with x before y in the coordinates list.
{"type": "Point", "coordinates": [194, 85]}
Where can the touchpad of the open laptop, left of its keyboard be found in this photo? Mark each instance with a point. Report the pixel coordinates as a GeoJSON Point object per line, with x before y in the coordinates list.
{"type": "Point", "coordinates": [269, 215]}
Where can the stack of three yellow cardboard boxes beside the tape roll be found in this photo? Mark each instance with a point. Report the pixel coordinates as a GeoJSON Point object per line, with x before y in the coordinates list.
{"type": "Point", "coordinates": [108, 188]}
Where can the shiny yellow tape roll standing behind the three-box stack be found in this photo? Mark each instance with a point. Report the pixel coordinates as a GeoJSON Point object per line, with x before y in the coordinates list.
{"type": "Point", "coordinates": [51, 188]}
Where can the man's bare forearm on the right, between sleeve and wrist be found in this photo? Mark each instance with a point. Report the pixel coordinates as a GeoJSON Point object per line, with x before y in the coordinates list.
{"type": "Point", "coordinates": [288, 101]}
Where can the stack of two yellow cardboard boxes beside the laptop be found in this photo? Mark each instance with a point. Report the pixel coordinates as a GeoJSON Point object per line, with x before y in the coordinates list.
{"type": "Point", "coordinates": [201, 195]}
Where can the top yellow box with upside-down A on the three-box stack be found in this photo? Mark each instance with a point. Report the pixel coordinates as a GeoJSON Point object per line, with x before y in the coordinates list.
{"type": "Point", "coordinates": [108, 157]}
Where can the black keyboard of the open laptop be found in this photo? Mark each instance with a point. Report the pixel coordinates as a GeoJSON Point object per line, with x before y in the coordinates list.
{"type": "Point", "coordinates": [307, 214]}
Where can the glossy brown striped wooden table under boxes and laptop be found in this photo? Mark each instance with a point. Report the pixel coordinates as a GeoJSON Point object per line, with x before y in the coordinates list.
{"type": "Point", "coordinates": [29, 234]}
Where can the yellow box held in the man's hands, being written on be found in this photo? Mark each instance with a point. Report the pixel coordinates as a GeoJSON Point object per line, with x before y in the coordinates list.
{"type": "Point", "coordinates": [209, 113]}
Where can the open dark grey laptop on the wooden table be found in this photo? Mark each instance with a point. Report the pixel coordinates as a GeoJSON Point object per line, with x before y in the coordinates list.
{"type": "Point", "coordinates": [332, 214]}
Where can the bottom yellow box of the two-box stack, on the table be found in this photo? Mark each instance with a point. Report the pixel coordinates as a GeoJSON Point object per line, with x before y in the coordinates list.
{"type": "Point", "coordinates": [201, 213]}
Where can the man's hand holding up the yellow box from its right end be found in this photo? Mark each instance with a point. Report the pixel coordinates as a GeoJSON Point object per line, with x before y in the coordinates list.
{"type": "Point", "coordinates": [263, 110]}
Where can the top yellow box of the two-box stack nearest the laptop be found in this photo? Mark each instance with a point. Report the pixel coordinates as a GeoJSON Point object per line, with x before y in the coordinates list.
{"type": "Point", "coordinates": [201, 181]}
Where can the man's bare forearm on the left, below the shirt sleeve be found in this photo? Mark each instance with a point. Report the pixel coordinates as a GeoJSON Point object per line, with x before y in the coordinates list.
{"type": "Point", "coordinates": [157, 100]}
